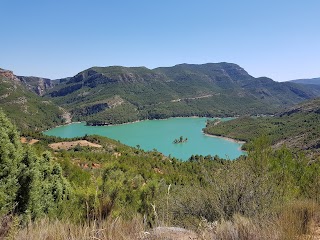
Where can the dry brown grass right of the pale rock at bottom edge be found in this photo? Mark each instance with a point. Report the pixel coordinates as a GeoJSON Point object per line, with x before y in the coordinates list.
{"type": "Point", "coordinates": [298, 220]}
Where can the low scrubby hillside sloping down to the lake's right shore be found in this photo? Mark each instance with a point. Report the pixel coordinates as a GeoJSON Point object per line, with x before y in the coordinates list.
{"type": "Point", "coordinates": [297, 127]}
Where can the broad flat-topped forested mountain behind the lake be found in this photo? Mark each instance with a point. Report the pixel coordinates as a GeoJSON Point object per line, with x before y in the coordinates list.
{"type": "Point", "coordinates": [120, 94]}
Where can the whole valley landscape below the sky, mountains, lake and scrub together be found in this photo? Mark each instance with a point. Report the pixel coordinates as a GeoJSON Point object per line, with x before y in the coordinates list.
{"type": "Point", "coordinates": [90, 172]}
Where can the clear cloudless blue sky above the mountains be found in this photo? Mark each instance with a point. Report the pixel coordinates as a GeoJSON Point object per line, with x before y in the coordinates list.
{"type": "Point", "coordinates": [59, 38]}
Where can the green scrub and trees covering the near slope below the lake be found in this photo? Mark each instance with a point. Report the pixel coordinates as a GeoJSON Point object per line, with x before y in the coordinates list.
{"type": "Point", "coordinates": [83, 185]}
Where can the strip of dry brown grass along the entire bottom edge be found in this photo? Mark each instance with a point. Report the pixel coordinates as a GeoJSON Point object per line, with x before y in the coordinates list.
{"type": "Point", "coordinates": [298, 220]}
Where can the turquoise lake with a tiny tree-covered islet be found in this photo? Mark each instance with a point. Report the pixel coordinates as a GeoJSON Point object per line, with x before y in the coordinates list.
{"type": "Point", "coordinates": [159, 134]}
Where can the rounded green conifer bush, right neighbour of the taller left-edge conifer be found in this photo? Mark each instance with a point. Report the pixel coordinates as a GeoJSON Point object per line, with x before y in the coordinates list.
{"type": "Point", "coordinates": [42, 186]}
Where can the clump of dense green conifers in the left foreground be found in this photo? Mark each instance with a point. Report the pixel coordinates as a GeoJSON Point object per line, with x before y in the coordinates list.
{"type": "Point", "coordinates": [31, 185]}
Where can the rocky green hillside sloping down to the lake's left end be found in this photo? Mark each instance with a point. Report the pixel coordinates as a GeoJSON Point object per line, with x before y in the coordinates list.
{"type": "Point", "coordinates": [26, 109]}
